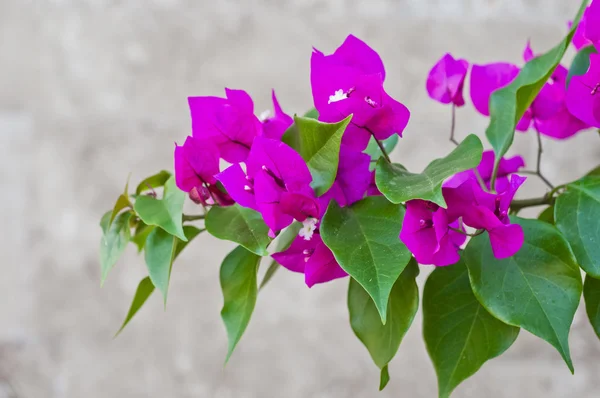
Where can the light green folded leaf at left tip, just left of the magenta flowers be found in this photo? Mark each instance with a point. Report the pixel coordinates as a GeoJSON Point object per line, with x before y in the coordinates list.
{"type": "Point", "coordinates": [165, 213]}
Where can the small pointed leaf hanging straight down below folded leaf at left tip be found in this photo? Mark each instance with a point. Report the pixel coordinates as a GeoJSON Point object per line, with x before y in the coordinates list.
{"type": "Point", "coordinates": [159, 254]}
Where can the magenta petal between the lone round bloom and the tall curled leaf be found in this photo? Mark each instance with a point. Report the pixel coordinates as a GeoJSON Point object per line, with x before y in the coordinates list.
{"type": "Point", "coordinates": [485, 79]}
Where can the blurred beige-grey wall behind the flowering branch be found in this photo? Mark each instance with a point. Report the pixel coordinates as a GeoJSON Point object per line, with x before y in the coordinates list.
{"type": "Point", "coordinates": [91, 90]}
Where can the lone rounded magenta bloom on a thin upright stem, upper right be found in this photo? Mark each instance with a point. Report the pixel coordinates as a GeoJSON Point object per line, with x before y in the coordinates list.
{"type": "Point", "coordinates": [446, 80]}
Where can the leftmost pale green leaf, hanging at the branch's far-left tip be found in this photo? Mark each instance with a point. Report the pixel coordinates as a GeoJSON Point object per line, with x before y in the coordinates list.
{"type": "Point", "coordinates": [114, 241]}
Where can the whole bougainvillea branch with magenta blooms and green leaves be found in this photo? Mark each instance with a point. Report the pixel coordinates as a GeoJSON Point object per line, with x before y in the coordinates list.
{"type": "Point", "coordinates": [319, 195]}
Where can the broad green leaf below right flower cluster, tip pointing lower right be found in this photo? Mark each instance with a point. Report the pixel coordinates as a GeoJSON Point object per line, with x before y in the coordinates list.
{"type": "Point", "coordinates": [537, 289]}
